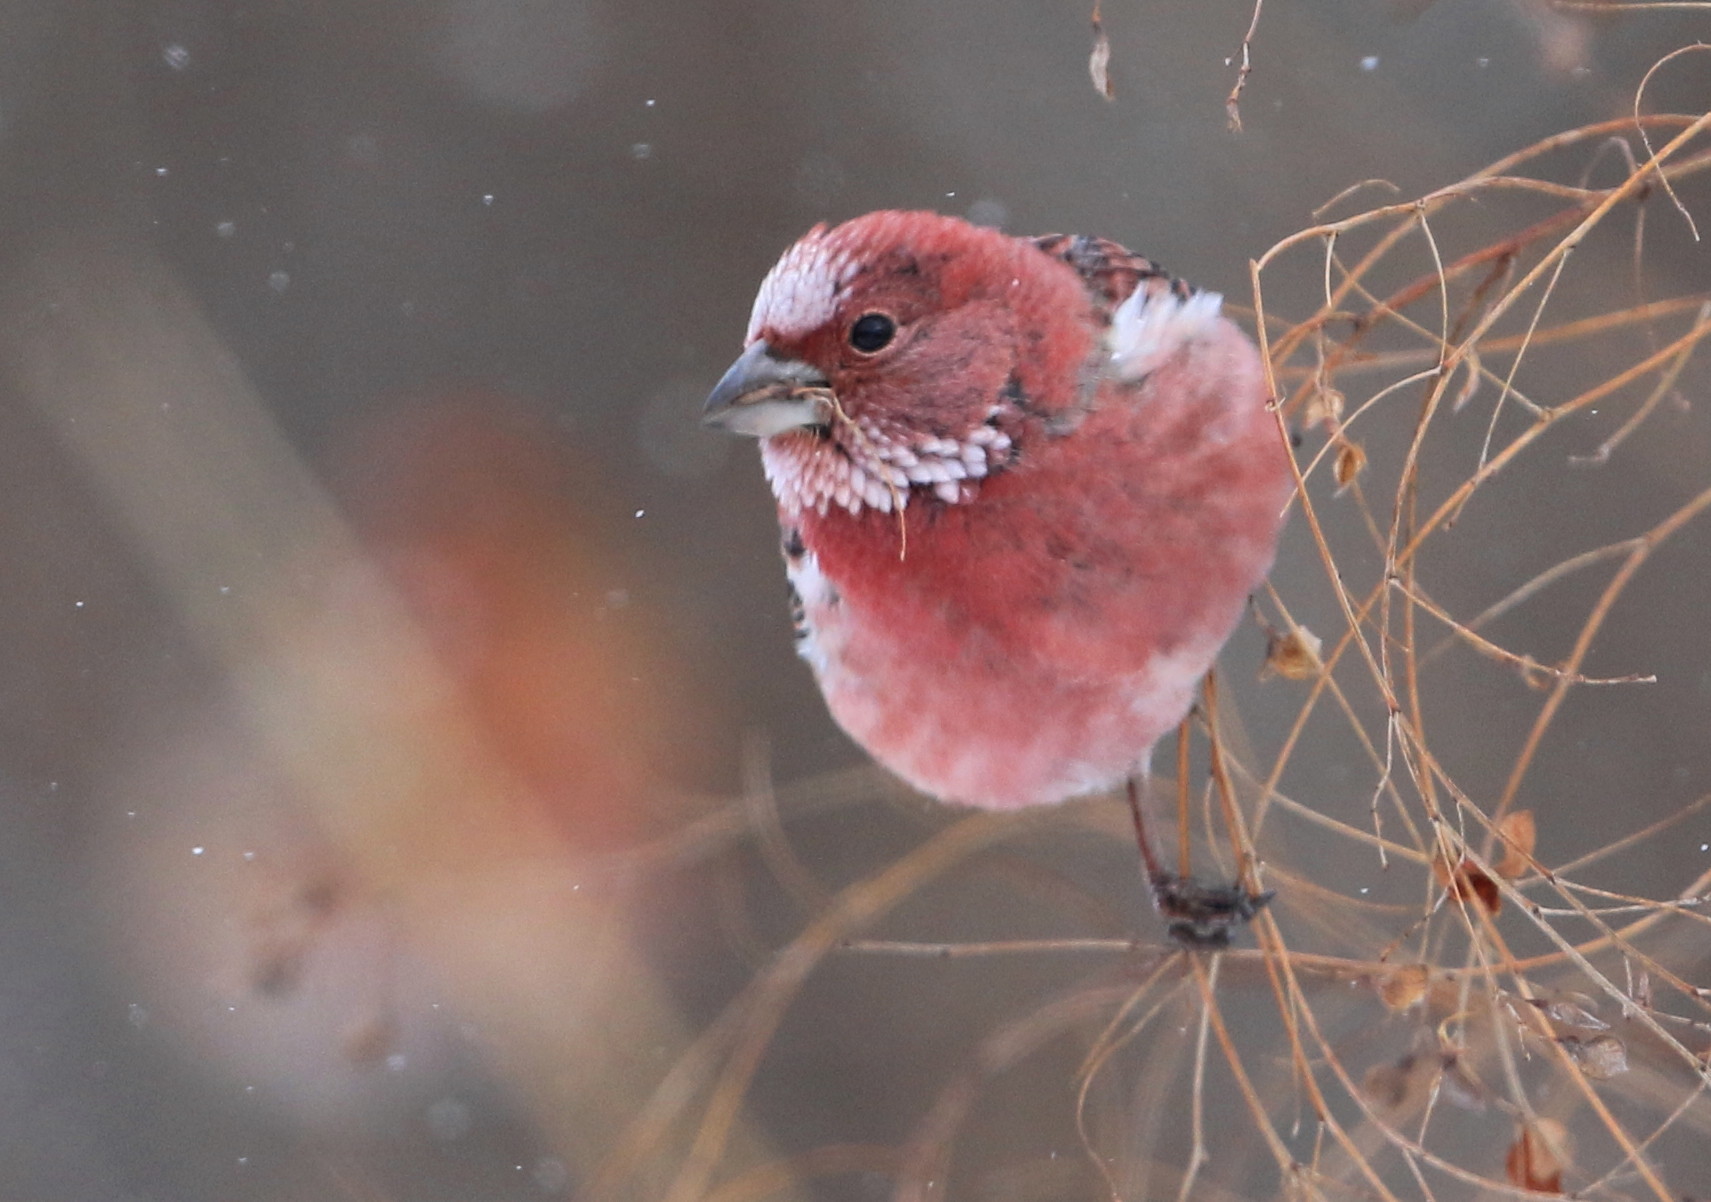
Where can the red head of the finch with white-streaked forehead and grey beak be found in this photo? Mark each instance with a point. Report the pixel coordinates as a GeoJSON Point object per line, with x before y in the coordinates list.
{"type": "Point", "coordinates": [901, 355]}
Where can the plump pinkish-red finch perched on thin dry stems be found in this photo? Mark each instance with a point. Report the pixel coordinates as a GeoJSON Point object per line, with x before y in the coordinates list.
{"type": "Point", "coordinates": [1026, 488]}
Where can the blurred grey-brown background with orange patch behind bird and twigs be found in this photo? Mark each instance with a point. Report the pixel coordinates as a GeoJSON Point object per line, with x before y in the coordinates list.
{"type": "Point", "coordinates": [396, 675]}
